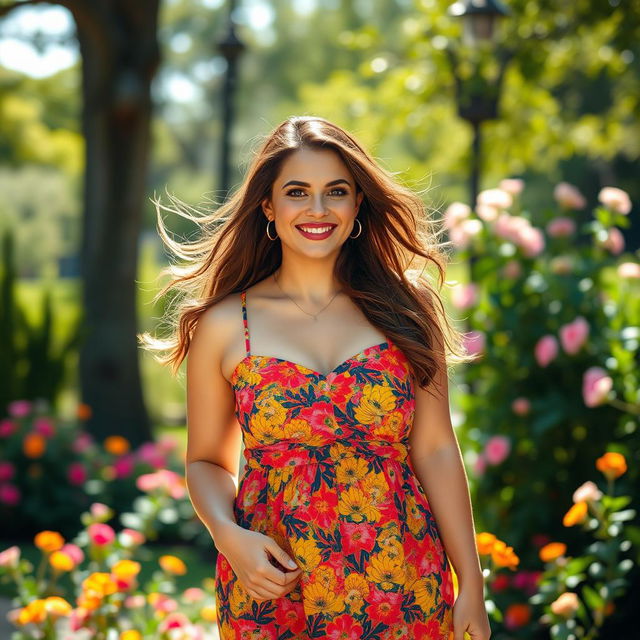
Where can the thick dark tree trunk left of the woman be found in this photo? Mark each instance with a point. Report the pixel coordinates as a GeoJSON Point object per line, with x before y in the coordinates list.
{"type": "Point", "coordinates": [120, 54]}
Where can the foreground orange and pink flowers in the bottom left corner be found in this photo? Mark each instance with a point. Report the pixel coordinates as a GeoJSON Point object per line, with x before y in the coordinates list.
{"type": "Point", "coordinates": [103, 597]}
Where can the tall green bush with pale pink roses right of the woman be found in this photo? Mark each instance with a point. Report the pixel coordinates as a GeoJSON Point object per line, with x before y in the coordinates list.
{"type": "Point", "coordinates": [552, 307]}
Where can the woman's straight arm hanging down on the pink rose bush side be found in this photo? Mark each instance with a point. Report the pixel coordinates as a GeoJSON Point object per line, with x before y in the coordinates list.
{"type": "Point", "coordinates": [437, 462]}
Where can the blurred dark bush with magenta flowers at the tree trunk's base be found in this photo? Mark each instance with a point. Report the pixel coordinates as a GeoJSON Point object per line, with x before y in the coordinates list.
{"type": "Point", "coordinates": [51, 470]}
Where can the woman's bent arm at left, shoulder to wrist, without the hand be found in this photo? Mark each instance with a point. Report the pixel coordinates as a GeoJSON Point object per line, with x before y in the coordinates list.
{"type": "Point", "coordinates": [214, 435]}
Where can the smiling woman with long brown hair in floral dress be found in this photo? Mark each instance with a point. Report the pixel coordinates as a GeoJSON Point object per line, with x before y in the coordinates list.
{"type": "Point", "coordinates": [308, 343]}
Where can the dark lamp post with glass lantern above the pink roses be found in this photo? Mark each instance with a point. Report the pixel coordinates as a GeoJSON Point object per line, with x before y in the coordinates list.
{"type": "Point", "coordinates": [478, 98]}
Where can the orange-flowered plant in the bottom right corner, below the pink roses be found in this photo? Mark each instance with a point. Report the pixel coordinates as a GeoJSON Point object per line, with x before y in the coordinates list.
{"type": "Point", "coordinates": [598, 574]}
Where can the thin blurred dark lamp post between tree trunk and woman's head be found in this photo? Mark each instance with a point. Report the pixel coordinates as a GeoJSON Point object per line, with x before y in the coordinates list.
{"type": "Point", "coordinates": [231, 48]}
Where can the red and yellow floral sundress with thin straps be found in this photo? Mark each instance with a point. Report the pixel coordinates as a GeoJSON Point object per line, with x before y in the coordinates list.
{"type": "Point", "coordinates": [328, 476]}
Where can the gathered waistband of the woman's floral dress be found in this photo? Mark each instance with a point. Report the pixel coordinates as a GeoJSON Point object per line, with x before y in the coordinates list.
{"type": "Point", "coordinates": [287, 453]}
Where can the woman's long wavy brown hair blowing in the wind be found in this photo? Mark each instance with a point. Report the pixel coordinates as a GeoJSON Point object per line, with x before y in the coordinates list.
{"type": "Point", "coordinates": [383, 270]}
